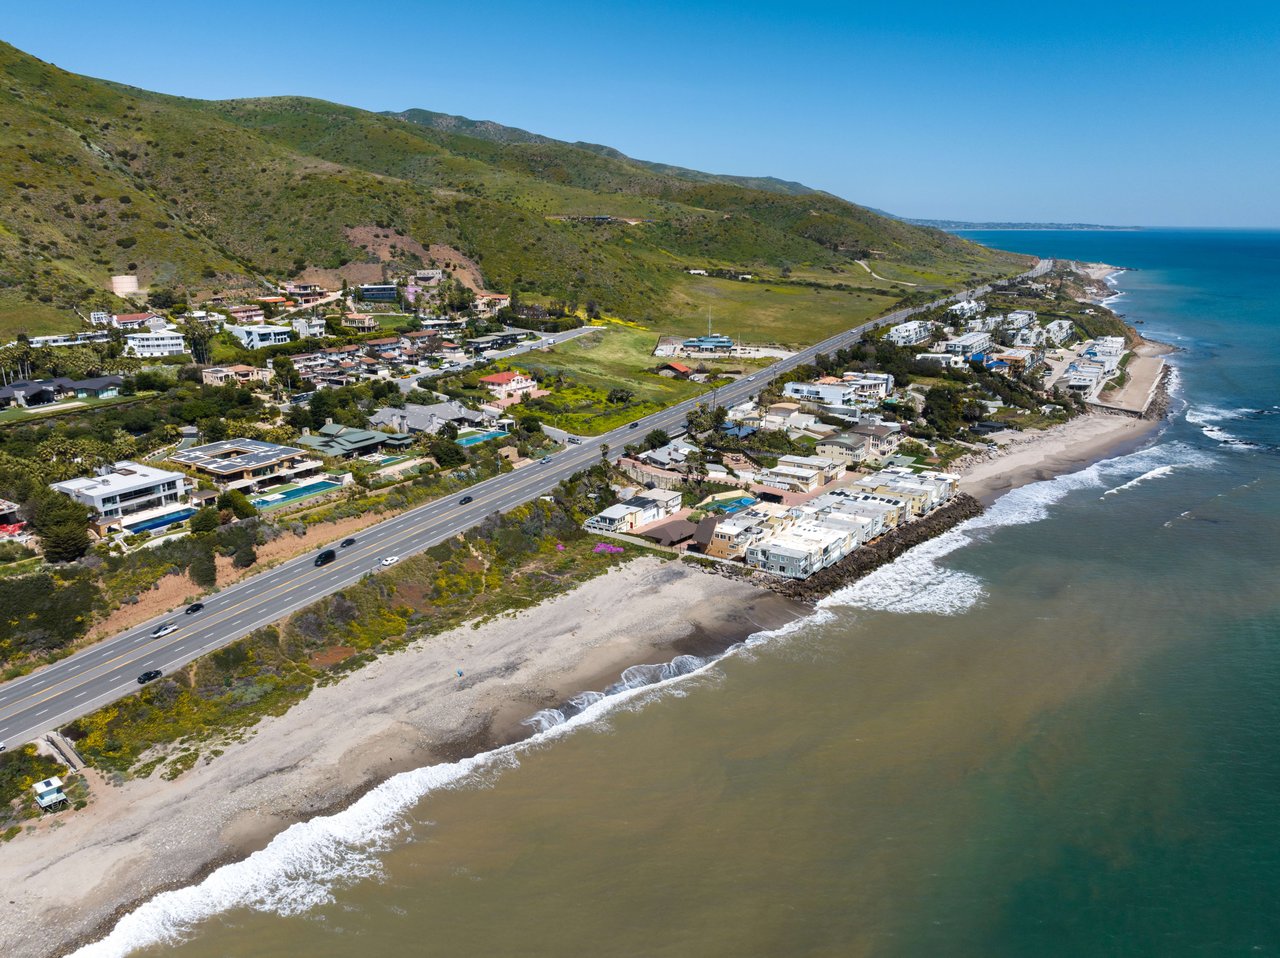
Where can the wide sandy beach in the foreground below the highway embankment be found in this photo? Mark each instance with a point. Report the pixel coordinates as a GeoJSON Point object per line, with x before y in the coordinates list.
{"type": "Point", "coordinates": [408, 710]}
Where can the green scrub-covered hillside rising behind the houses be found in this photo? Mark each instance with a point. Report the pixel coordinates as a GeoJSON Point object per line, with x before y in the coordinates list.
{"type": "Point", "coordinates": [98, 179]}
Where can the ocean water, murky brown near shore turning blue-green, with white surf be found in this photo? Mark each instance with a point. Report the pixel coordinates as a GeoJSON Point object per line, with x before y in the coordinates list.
{"type": "Point", "coordinates": [1052, 732]}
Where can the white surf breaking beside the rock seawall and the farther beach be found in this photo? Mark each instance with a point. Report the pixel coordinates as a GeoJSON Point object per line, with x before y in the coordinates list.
{"type": "Point", "coordinates": [918, 582]}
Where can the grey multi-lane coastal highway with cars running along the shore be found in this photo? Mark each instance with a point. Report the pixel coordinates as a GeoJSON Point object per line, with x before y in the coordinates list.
{"type": "Point", "coordinates": [108, 670]}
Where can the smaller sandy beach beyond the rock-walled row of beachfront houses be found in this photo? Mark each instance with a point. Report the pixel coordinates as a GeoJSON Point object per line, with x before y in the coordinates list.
{"type": "Point", "coordinates": [1032, 457]}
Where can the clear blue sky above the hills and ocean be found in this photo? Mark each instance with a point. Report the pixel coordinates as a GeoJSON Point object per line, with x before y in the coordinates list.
{"type": "Point", "coordinates": [1158, 115]}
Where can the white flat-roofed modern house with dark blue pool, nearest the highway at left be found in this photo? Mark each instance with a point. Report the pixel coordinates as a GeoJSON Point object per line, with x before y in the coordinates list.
{"type": "Point", "coordinates": [132, 496]}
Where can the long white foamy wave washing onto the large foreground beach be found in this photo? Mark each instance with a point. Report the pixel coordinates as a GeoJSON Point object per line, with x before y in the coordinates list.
{"type": "Point", "coordinates": [305, 864]}
